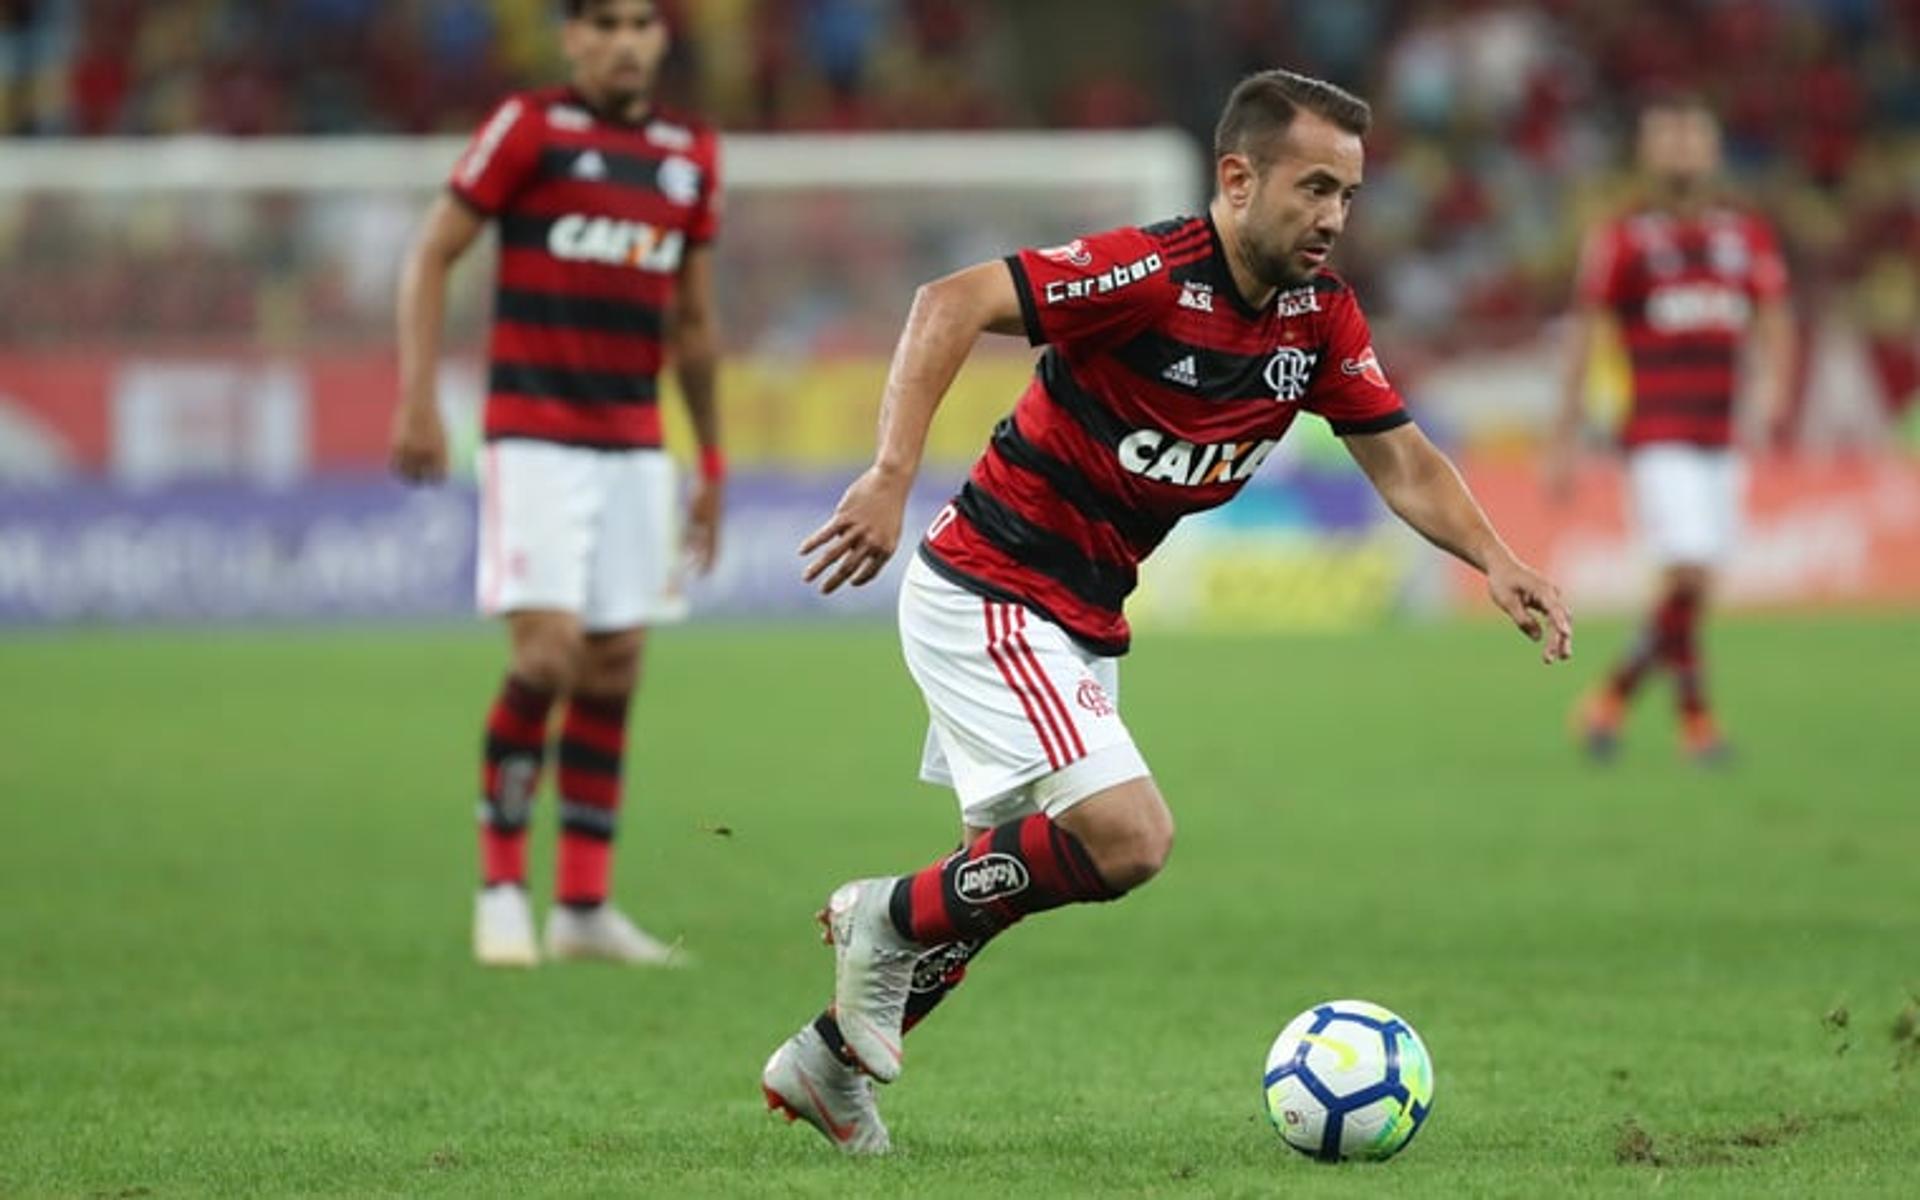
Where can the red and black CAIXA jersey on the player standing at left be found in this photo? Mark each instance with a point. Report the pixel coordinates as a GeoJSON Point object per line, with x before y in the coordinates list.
{"type": "Point", "coordinates": [594, 220]}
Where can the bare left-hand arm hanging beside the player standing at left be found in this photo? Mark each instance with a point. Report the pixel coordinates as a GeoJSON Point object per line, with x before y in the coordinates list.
{"type": "Point", "coordinates": [420, 443]}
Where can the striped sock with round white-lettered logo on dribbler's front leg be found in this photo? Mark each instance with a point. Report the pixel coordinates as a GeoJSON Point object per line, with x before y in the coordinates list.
{"type": "Point", "coordinates": [1009, 873]}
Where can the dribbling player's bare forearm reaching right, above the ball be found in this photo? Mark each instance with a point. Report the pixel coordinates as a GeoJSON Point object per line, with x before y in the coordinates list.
{"type": "Point", "coordinates": [1424, 489]}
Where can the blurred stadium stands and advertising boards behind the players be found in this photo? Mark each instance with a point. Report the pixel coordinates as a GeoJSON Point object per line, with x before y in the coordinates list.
{"type": "Point", "coordinates": [197, 375]}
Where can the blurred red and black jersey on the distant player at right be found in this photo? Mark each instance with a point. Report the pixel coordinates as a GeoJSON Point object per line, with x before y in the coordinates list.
{"type": "Point", "coordinates": [1683, 291]}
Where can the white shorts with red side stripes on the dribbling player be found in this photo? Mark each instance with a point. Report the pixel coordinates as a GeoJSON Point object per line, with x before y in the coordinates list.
{"type": "Point", "coordinates": [1022, 717]}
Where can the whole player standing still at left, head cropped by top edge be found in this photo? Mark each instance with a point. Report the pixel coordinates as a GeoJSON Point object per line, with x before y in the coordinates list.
{"type": "Point", "coordinates": [608, 210]}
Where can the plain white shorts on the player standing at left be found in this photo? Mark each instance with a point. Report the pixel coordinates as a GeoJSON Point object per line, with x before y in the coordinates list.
{"type": "Point", "coordinates": [583, 531]}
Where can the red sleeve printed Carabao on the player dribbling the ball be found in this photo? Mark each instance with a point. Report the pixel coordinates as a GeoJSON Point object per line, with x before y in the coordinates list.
{"type": "Point", "coordinates": [1093, 291]}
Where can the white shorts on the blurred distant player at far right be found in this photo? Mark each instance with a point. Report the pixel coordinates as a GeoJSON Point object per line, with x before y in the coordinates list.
{"type": "Point", "coordinates": [1687, 500]}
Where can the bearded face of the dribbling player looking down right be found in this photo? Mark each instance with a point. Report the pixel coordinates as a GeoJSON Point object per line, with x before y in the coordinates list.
{"type": "Point", "coordinates": [1297, 208]}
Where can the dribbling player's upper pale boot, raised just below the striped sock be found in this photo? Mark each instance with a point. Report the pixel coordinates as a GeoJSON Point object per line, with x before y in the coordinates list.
{"type": "Point", "coordinates": [873, 974]}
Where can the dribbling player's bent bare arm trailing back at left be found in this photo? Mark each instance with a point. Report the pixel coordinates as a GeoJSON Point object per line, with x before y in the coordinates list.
{"type": "Point", "coordinates": [948, 318]}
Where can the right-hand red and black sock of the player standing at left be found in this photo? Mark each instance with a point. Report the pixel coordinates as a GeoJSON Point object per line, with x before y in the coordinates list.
{"type": "Point", "coordinates": [592, 748]}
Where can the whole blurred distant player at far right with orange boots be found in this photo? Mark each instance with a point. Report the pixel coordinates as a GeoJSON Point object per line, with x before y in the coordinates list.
{"type": "Point", "coordinates": [1683, 281]}
